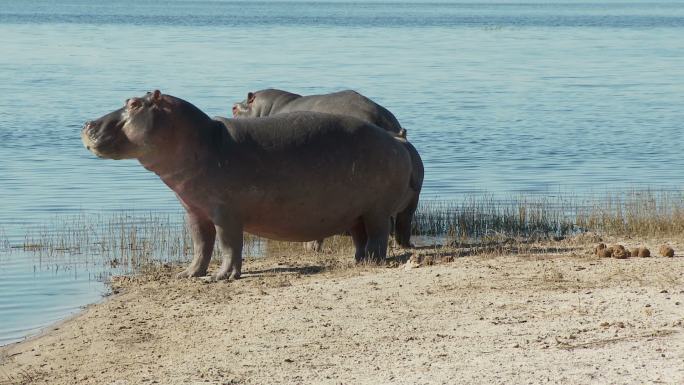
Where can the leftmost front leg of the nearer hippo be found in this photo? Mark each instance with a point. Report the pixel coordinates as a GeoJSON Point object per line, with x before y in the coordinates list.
{"type": "Point", "coordinates": [203, 236]}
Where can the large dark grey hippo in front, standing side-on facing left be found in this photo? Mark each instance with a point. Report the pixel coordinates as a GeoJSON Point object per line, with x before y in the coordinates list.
{"type": "Point", "coordinates": [294, 177]}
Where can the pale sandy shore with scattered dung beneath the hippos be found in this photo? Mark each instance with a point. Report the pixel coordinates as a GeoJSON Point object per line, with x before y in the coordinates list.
{"type": "Point", "coordinates": [552, 313]}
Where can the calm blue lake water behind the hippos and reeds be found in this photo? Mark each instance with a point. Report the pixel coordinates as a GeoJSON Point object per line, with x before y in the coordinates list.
{"type": "Point", "coordinates": [499, 97]}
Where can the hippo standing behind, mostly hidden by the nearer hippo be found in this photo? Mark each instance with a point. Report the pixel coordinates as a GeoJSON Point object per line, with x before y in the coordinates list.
{"type": "Point", "coordinates": [349, 103]}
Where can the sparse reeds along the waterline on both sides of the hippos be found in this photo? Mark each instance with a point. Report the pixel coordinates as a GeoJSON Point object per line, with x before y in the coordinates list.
{"type": "Point", "coordinates": [128, 240]}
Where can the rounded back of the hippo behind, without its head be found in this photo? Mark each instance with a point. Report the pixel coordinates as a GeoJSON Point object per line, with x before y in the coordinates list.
{"type": "Point", "coordinates": [348, 103]}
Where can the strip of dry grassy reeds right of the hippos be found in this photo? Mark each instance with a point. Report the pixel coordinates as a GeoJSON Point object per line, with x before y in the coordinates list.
{"type": "Point", "coordinates": [634, 213]}
